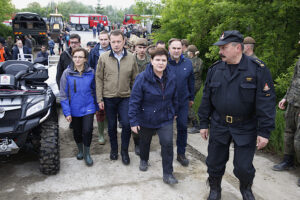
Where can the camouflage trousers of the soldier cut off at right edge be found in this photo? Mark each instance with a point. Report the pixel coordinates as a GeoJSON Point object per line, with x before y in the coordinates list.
{"type": "Point", "coordinates": [292, 131]}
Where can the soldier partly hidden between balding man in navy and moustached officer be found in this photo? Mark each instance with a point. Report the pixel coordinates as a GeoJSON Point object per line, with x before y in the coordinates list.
{"type": "Point", "coordinates": [192, 53]}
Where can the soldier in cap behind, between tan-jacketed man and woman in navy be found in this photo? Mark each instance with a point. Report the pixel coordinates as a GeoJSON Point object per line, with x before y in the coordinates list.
{"type": "Point", "coordinates": [142, 60]}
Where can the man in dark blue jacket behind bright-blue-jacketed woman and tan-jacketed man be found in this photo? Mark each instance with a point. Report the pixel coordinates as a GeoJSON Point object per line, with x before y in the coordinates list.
{"type": "Point", "coordinates": [94, 55]}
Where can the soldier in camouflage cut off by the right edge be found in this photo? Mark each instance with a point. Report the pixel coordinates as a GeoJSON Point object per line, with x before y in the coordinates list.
{"type": "Point", "coordinates": [292, 117]}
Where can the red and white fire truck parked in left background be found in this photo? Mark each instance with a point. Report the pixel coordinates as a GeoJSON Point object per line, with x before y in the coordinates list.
{"type": "Point", "coordinates": [86, 21]}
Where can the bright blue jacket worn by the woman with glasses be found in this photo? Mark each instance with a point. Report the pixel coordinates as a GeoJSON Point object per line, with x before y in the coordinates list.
{"type": "Point", "coordinates": [77, 92]}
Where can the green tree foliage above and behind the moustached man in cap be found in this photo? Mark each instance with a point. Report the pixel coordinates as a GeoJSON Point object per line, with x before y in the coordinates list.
{"type": "Point", "coordinates": [275, 25]}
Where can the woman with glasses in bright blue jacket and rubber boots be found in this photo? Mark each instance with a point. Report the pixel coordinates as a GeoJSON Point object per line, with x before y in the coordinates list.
{"type": "Point", "coordinates": [78, 101]}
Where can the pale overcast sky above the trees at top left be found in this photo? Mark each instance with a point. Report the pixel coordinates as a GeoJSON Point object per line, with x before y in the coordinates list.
{"type": "Point", "coordinates": [116, 3]}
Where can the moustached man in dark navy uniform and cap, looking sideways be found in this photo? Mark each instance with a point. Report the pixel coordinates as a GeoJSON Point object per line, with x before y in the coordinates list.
{"type": "Point", "coordinates": [238, 105]}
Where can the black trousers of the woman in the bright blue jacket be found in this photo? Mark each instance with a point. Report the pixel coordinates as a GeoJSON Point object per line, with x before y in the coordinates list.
{"type": "Point", "coordinates": [83, 129]}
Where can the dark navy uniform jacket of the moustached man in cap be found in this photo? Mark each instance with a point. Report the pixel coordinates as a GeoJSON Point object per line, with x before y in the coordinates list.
{"type": "Point", "coordinates": [247, 93]}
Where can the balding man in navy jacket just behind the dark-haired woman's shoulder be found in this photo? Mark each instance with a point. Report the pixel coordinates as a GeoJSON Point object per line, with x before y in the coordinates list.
{"type": "Point", "coordinates": [183, 69]}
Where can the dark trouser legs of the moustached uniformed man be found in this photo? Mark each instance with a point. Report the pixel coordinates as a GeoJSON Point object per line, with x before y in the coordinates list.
{"type": "Point", "coordinates": [218, 155]}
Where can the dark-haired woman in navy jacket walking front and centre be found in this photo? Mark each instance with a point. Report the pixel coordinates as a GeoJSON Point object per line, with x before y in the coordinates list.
{"type": "Point", "coordinates": [152, 109]}
